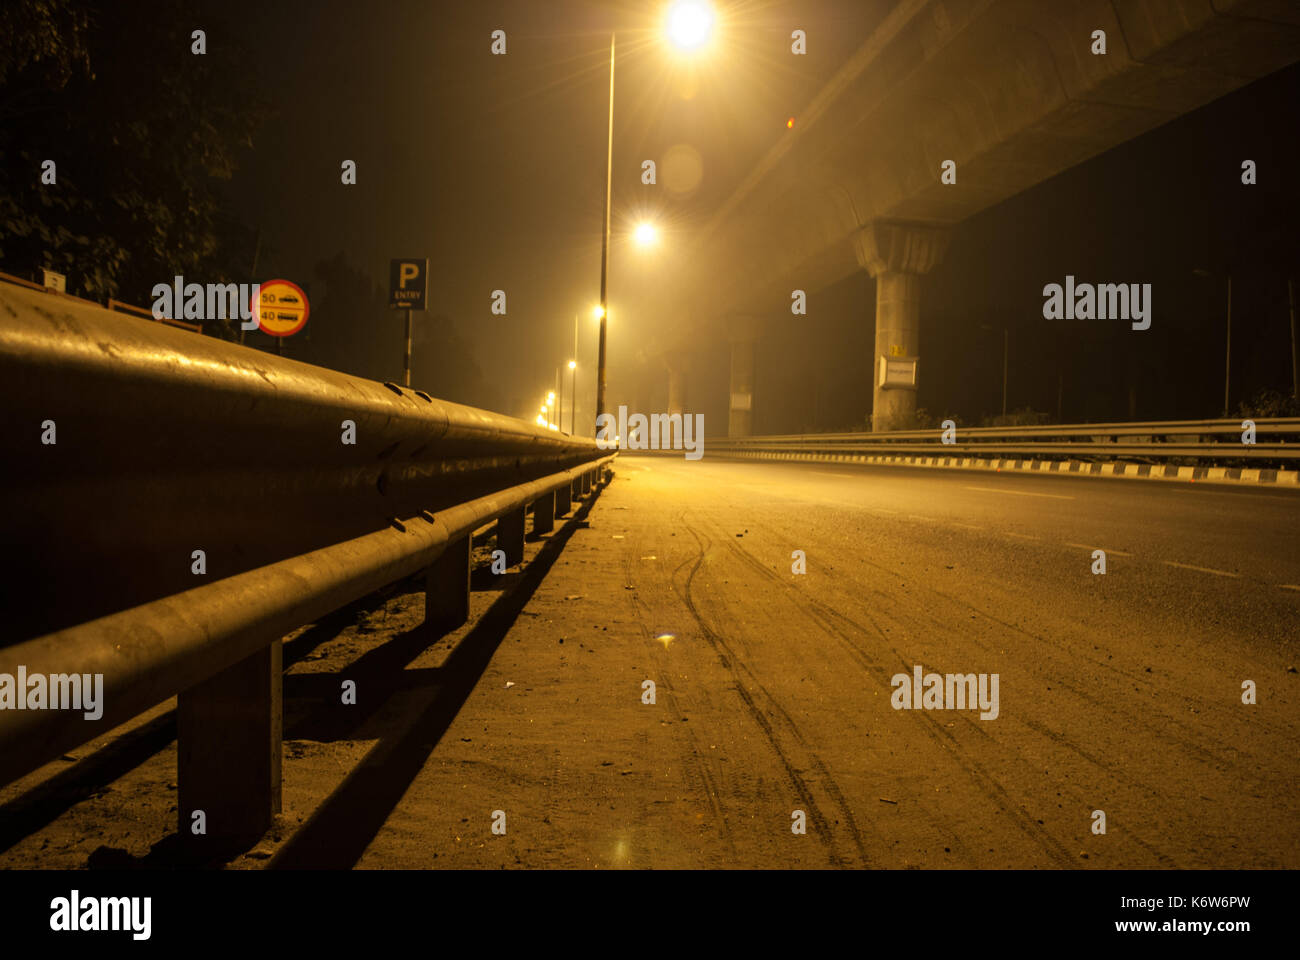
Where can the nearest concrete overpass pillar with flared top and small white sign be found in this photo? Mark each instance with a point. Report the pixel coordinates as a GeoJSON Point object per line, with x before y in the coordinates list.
{"type": "Point", "coordinates": [898, 256]}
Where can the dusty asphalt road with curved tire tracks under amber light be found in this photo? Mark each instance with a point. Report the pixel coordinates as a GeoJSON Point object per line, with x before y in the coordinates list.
{"type": "Point", "coordinates": [773, 690]}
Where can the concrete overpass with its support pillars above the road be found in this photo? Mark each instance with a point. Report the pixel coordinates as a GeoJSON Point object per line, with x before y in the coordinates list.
{"type": "Point", "coordinates": [1012, 93]}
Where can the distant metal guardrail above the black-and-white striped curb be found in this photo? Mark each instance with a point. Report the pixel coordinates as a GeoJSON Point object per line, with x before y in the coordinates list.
{"type": "Point", "coordinates": [1190, 440]}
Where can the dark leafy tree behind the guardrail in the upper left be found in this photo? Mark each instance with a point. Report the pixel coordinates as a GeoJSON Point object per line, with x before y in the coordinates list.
{"type": "Point", "coordinates": [142, 132]}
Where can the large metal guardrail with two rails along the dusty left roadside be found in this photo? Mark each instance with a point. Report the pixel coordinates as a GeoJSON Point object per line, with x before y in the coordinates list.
{"type": "Point", "coordinates": [131, 447]}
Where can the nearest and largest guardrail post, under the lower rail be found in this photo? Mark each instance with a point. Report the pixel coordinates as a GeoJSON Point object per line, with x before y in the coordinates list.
{"type": "Point", "coordinates": [228, 754]}
